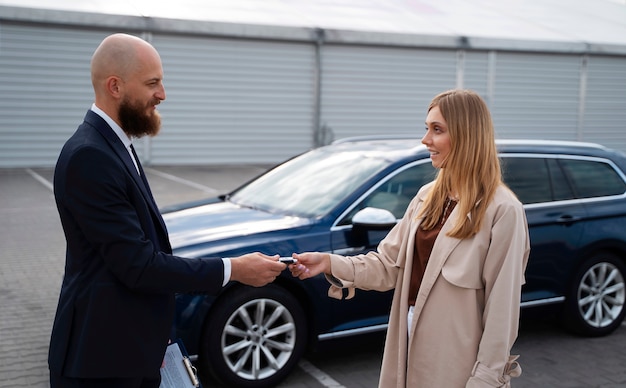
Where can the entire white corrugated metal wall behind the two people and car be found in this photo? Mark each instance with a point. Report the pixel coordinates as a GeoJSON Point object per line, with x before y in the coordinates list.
{"type": "Point", "coordinates": [233, 100]}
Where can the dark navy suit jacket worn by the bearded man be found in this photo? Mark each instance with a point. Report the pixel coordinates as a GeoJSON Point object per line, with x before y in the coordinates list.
{"type": "Point", "coordinates": [116, 304]}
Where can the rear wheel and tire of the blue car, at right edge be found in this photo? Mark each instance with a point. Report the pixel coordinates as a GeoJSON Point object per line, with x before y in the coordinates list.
{"type": "Point", "coordinates": [595, 305]}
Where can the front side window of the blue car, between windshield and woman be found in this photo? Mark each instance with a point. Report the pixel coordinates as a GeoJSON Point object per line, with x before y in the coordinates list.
{"type": "Point", "coordinates": [396, 193]}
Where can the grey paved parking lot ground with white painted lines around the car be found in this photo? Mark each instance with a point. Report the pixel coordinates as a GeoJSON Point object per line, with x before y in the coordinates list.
{"type": "Point", "coordinates": [32, 250]}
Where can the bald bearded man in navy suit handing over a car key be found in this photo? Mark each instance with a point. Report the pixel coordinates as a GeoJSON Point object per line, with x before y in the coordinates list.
{"type": "Point", "coordinates": [116, 306]}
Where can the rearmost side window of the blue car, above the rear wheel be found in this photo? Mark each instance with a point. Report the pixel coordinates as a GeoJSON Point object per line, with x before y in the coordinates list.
{"type": "Point", "coordinates": [592, 178]}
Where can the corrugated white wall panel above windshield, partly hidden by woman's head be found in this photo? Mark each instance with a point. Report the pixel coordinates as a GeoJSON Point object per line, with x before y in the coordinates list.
{"type": "Point", "coordinates": [378, 90]}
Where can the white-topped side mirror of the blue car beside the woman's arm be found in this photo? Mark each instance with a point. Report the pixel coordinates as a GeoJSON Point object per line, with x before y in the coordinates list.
{"type": "Point", "coordinates": [370, 225]}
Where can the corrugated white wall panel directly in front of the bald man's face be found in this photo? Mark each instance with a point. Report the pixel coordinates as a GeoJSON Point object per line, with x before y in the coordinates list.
{"type": "Point", "coordinates": [233, 101]}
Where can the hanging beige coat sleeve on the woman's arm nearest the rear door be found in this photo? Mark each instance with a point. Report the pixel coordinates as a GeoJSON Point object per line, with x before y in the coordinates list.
{"type": "Point", "coordinates": [503, 274]}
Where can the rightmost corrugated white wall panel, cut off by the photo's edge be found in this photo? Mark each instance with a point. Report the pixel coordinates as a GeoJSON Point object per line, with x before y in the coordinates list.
{"type": "Point", "coordinates": [605, 103]}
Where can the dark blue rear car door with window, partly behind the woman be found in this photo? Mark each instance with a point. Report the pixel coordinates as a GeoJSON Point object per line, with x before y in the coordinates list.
{"type": "Point", "coordinates": [555, 224]}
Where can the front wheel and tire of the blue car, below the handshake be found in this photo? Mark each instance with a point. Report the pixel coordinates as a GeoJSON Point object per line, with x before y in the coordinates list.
{"type": "Point", "coordinates": [253, 337]}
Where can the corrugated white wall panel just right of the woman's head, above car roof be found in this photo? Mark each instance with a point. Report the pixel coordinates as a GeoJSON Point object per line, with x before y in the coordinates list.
{"type": "Point", "coordinates": [536, 95]}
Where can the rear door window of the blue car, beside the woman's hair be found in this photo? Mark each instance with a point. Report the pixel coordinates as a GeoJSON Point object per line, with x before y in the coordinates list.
{"type": "Point", "coordinates": [529, 178]}
